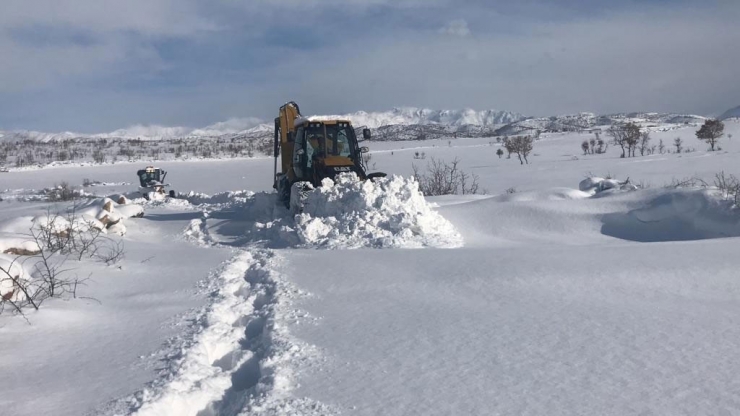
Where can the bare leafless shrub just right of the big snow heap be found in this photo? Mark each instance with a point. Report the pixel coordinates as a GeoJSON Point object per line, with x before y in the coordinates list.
{"type": "Point", "coordinates": [442, 178]}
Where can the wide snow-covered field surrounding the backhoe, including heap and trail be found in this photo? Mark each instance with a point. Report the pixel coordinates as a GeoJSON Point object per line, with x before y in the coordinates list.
{"type": "Point", "coordinates": [547, 300]}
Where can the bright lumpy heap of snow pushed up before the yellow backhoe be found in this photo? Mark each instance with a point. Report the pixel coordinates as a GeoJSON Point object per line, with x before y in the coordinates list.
{"type": "Point", "coordinates": [388, 212]}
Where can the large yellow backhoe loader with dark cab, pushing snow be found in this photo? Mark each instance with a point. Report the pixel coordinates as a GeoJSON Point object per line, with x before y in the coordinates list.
{"type": "Point", "coordinates": [311, 150]}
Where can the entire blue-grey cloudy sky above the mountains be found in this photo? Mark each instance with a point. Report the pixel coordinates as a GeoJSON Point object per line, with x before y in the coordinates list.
{"type": "Point", "coordinates": [98, 65]}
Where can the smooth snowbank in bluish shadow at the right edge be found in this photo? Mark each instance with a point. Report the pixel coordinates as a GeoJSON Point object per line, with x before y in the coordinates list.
{"type": "Point", "coordinates": [676, 216]}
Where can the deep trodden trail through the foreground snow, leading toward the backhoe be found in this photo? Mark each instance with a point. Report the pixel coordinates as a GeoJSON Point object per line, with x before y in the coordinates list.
{"type": "Point", "coordinates": [243, 360]}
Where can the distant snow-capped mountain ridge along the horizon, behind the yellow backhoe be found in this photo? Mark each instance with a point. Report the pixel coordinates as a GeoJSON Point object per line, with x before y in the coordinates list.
{"type": "Point", "coordinates": [402, 123]}
